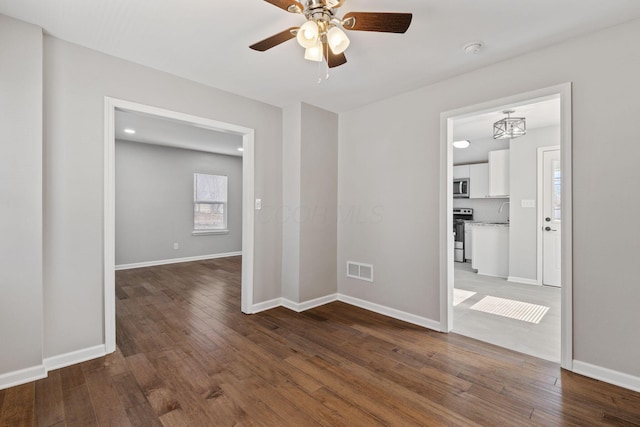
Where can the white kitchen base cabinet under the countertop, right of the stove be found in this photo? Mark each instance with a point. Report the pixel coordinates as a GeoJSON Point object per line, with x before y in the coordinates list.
{"type": "Point", "coordinates": [490, 244]}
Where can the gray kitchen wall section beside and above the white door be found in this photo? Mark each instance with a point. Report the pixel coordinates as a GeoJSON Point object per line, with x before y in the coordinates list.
{"type": "Point", "coordinates": [523, 184]}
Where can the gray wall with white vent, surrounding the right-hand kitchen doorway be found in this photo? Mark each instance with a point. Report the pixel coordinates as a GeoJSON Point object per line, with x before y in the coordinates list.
{"type": "Point", "coordinates": [390, 155]}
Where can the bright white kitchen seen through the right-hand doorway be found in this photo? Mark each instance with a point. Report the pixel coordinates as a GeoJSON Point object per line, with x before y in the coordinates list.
{"type": "Point", "coordinates": [500, 295]}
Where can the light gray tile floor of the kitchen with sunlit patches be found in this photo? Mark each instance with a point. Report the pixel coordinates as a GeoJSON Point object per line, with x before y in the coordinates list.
{"type": "Point", "coordinates": [540, 340]}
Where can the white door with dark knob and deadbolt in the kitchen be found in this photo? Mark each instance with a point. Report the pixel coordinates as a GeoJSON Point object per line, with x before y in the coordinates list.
{"type": "Point", "coordinates": [552, 218]}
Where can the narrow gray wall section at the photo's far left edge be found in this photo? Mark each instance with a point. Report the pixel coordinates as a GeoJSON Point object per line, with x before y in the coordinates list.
{"type": "Point", "coordinates": [20, 195]}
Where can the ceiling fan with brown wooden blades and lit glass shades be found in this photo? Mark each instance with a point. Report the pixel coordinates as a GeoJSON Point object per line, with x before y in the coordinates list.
{"type": "Point", "coordinates": [321, 35]}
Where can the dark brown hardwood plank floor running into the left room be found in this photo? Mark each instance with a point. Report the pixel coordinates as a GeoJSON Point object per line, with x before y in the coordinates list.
{"type": "Point", "coordinates": [187, 356]}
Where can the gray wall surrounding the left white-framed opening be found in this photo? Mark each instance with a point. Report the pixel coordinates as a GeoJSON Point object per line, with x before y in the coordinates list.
{"type": "Point", "coordinates": [76, 80]}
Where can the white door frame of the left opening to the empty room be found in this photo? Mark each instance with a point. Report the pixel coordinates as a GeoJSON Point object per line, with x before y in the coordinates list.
{"type": "Point", "coordinates": [110, 105]}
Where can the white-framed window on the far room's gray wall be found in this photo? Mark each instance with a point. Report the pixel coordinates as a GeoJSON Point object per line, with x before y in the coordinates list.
{"type": "Point", "coordinates": [209, 203]}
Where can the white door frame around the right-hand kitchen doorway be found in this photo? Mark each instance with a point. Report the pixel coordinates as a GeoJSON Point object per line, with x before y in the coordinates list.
{"type": "Point", "coordinates": [446, 206]}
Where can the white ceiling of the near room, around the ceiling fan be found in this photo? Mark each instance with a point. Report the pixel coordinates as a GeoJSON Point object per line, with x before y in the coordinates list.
{"type": "Point", "coordinates": [207, 41]}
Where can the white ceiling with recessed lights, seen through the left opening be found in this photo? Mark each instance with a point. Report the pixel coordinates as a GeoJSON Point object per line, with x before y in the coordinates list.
{"type": "Point", "coordinates": [173, 133]}
